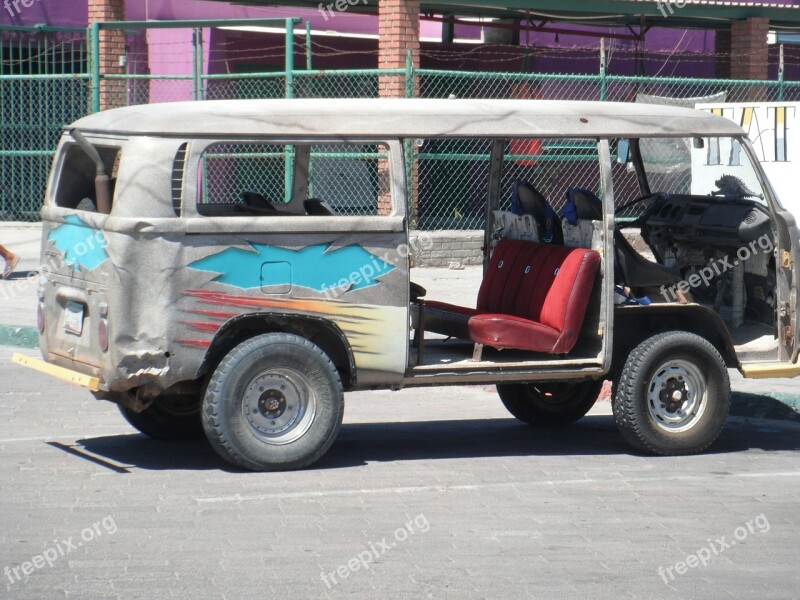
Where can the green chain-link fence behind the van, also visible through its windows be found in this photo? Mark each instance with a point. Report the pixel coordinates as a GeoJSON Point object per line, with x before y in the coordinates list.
{"type": "Point", "coordinates": [46, 81]}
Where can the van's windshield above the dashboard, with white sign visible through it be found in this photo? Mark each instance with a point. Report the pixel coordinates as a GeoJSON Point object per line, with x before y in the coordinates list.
{"type": "Point", "coordinates": [716, 167]}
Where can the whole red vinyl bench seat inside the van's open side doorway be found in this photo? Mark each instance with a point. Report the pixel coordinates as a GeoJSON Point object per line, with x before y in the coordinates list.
{"type": "Point", "coordinates": [533, 297]}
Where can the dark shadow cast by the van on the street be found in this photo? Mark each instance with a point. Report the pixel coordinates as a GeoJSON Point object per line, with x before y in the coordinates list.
{"type": "Point", "coordinates": [362, 443]}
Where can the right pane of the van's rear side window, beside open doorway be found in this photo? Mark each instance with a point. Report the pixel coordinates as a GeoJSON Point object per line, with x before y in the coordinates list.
{"type": "Point", "coordinates": [351, 179]}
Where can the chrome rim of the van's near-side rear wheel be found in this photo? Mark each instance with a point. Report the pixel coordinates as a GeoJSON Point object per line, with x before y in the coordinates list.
{"type": "Point", "coordinates": [279, 406]}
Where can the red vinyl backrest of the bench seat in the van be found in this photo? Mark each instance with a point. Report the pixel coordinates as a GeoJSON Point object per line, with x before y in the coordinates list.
{"type": "Point", "coordinates": [538, 282]}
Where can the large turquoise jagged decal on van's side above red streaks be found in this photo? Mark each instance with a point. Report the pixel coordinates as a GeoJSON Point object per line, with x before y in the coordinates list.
{"type": "Point", "coordinates": [314, 267]}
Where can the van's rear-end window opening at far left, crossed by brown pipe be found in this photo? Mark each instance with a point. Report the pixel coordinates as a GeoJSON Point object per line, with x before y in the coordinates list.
{"type": "Point", "coordinates": [76, 181]}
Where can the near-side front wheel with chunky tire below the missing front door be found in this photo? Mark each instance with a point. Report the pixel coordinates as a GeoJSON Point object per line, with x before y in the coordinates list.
{"type": "Point", "coordinates": [673, 395]}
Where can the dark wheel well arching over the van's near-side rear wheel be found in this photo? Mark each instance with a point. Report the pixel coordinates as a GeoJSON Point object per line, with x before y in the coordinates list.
{"type": "Point", "coordinates": [321, 332]}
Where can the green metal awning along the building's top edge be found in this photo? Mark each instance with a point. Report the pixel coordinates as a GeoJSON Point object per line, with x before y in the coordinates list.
{"type": "Point", "coordinates": [701, 14]}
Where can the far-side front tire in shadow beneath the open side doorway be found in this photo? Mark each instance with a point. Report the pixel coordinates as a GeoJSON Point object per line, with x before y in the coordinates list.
{"type": "Point", "coordinates": [549, 403]}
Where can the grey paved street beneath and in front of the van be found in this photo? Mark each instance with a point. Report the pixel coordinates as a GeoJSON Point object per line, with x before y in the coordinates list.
{"type": "Point", "coordinates": [438, 492]}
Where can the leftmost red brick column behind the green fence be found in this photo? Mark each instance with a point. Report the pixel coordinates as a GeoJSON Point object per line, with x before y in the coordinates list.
{"type": "Point", "coordinates": [112, 47]}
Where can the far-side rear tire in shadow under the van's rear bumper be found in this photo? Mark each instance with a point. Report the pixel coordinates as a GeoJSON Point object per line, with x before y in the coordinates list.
{"type": "Point", "coordinates": [168, 418]}
